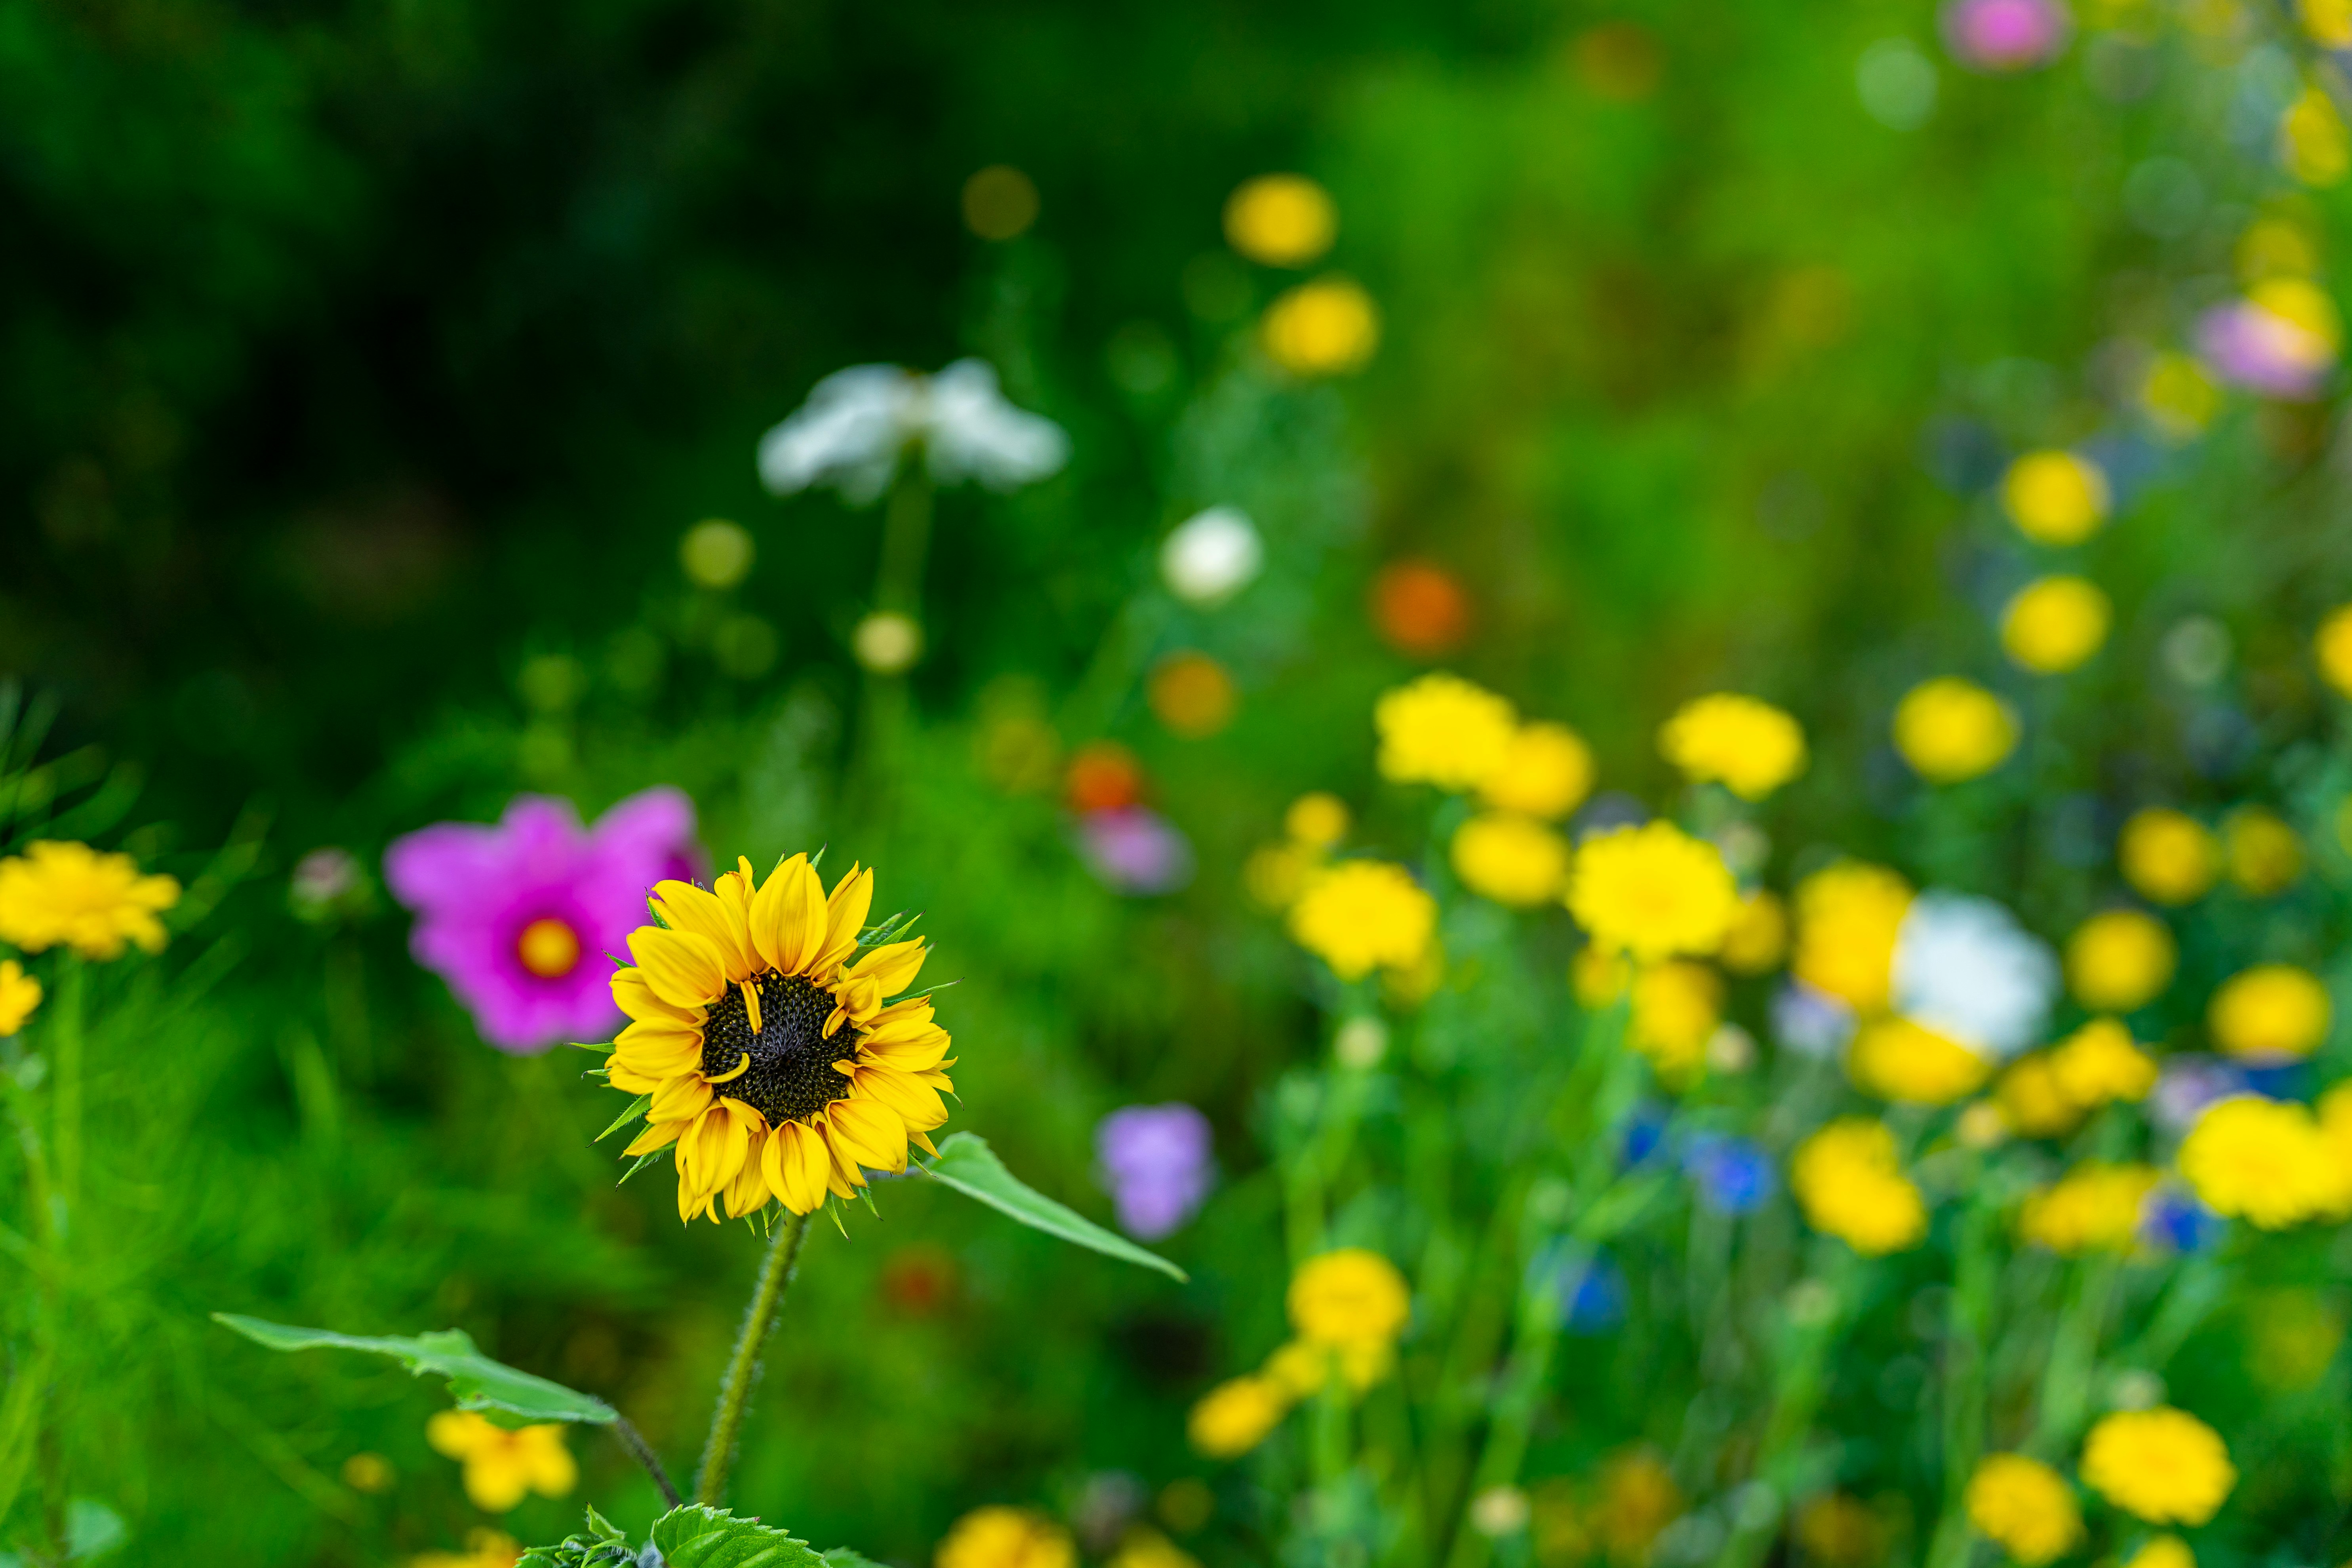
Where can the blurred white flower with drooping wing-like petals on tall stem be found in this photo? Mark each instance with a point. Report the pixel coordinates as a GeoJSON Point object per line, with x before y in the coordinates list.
{"type": "Point", "coordinates": [857, 424]}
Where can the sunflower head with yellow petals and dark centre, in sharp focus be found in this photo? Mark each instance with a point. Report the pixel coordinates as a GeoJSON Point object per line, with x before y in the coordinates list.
{"type": "Point", "coordinates": [763, 1031]}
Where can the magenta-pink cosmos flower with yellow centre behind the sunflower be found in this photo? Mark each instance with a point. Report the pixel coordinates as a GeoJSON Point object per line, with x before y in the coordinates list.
{"type": "Point", "coordinates": [519, 918]}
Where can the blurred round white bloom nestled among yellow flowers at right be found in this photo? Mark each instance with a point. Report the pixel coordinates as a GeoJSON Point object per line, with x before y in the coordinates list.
{"type": "Point", "coordinates": [1970, 972]}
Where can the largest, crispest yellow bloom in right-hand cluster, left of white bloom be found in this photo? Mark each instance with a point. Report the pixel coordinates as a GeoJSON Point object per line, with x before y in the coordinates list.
{"type": "Point", "coordinates": [1652, 892]}
